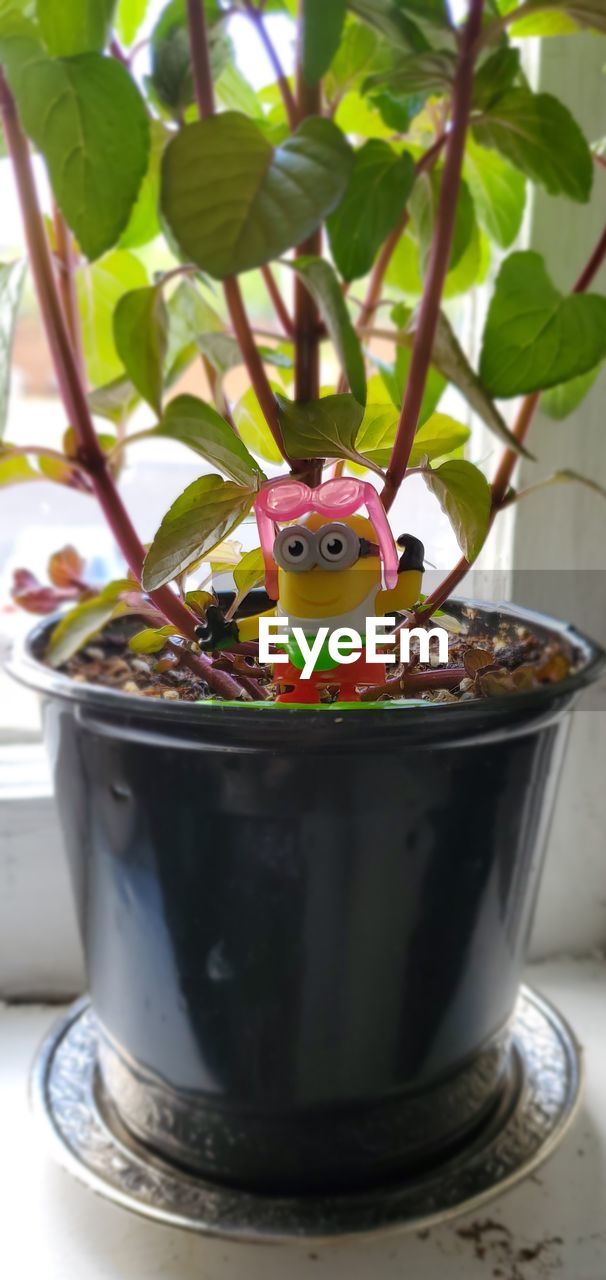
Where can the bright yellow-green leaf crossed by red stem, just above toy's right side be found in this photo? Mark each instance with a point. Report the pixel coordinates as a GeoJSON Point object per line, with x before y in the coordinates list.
{"type": "Point", "coordinates": [436, 438]}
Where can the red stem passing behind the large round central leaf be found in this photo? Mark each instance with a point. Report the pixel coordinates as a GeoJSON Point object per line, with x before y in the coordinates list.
{"type": "Point", "coordinates": [203, 84]}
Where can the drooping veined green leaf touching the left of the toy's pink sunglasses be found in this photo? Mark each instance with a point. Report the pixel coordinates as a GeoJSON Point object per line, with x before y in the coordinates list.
{"type": "Point", "coordinates": [201, 519]}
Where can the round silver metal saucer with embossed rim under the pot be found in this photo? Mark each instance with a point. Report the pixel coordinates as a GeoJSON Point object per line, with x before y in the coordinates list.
{"type": "Point", "coordinates": [90, 1142]}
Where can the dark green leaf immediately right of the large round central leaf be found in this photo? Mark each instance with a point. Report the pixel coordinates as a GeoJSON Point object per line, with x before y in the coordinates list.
{"type": "Point", "coordinates": [376, 198]}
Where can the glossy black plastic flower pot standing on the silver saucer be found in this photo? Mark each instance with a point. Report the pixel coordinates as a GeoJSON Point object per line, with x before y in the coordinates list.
{"type": "Point", "coordinates": [304, 929]}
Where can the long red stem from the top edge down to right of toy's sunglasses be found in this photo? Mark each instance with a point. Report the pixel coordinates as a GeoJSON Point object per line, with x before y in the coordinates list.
{"type": "Point", "coordinates": [440, 258]}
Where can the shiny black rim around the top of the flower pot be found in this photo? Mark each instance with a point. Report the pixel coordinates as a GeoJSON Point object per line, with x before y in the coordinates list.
{"type": "Point", "coordinates": [238, 721]}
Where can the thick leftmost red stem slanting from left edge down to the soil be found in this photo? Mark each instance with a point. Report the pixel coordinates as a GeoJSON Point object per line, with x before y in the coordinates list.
{"type": "Point", "coordinates": [90, 454]}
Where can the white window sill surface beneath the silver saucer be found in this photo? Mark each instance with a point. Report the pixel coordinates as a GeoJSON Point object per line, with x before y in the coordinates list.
{"type": "Point", "coordinates": [557, 1215]}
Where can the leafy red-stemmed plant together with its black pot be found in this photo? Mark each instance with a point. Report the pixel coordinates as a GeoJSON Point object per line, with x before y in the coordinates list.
{"type": "Point", "coordinates": [304, 925]}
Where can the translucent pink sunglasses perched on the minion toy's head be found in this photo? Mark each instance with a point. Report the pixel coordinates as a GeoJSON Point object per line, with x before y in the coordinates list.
{"type": "Point", "coordinates": [288, 500]}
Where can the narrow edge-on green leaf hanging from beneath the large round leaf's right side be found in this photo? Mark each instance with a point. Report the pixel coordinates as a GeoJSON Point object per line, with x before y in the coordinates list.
{"type": "Point", "coordinates": [322, 284]}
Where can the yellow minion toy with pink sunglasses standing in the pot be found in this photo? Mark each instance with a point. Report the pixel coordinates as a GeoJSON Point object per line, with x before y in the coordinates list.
{"type": "Point", "coordinates": [327, 568]}
